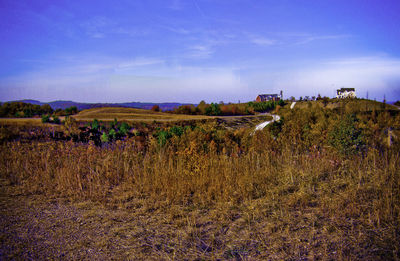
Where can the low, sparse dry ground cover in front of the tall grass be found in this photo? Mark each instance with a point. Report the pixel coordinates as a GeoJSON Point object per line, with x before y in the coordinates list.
{"type": "Point", "coordinates": [37, 227]}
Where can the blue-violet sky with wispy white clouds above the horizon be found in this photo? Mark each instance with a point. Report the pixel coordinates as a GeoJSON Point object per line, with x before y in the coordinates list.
{"type": "Point", "coordinates": [193, 50]}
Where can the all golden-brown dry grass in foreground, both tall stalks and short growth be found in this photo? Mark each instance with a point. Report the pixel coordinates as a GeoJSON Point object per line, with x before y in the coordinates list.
{"type": "Point", "coordinates": [187, 205]}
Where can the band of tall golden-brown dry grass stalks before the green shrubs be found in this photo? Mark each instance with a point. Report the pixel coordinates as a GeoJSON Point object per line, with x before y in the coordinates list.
{"type": "Point", "coordinates": [364, 187]}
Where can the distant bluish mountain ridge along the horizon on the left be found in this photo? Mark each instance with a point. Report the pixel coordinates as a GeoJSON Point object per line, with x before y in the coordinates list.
{"type": "Point", "coordinates": [166, 106]}
